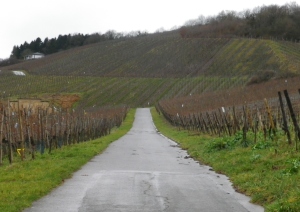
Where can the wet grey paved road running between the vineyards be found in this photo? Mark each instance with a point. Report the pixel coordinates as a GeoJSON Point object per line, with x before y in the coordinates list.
{"type": "Point", "coordinates": [144, 171]}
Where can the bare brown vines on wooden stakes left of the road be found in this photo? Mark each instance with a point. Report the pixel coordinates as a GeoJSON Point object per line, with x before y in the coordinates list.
{"type": "Point", "coordinates": [30, 126]}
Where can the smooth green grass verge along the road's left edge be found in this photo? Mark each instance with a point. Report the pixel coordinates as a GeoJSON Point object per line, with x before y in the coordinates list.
{"type": "Point", "coordinates": [24, 182]}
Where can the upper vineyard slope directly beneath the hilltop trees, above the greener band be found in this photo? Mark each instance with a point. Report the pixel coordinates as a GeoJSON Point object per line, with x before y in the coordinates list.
{"type": "Point", "coordinates": [169, 56]}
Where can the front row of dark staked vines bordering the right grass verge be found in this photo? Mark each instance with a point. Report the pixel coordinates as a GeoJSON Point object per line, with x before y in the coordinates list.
{"type": "Point", "coordinates": [267, 116]}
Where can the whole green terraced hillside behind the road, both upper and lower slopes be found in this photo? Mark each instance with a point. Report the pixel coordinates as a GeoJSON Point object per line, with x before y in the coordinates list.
{"type": "Point", "coordinates": [140, 71]}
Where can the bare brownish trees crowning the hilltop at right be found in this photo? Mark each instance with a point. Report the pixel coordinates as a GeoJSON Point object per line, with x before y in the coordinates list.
{"type": "Point", "coordinates": [273, 21]}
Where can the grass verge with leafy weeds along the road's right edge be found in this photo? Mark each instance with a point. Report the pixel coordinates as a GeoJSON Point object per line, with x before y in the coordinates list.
{"type": "Point", "coordinates": [268, 171]}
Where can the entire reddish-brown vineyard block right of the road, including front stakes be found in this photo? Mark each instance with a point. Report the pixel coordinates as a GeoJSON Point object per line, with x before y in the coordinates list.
{"type": "Point", "coordinates": [252, 109]}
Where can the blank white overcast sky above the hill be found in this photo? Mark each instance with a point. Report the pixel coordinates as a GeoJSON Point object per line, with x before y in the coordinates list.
{"type": "Point", "coordinates": [25, 20]}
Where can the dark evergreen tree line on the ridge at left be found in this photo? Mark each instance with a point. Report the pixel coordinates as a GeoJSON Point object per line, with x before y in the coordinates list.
{"type": "Point", "coordinates": [64, 42]}
